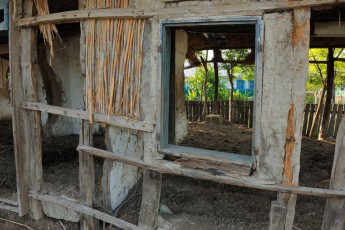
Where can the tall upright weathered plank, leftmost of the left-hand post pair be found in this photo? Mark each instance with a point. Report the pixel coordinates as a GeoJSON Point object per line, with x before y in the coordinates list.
{"type": "Point", "coordinates": [17, 95]}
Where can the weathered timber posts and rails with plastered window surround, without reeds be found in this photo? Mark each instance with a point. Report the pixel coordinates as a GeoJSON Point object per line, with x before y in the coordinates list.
{"type": "Point", "coordinates": [284, 40]}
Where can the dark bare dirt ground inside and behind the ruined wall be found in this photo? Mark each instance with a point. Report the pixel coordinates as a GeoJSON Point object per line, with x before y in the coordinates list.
{"type": "Point", "coordinates": [195, 204]}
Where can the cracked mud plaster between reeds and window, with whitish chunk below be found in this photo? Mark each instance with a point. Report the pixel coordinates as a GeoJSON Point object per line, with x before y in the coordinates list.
{"type": "Point", "coordinates": [118, 178]}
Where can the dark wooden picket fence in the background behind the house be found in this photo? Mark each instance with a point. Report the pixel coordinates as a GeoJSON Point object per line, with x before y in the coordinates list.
{"type": "Point", "coordinates": [242, 113]}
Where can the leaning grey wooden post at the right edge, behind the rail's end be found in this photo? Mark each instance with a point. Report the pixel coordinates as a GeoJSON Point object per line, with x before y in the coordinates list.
{"type": "Point", "coordinates": [334, 214]}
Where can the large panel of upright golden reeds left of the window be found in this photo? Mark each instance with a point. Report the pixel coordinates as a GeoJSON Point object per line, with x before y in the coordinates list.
{"type": "Point", "coordinates": [114, 56]}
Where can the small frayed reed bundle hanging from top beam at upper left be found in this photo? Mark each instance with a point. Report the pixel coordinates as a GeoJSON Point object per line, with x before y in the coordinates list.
{"type": "Point", "coordinates": [48, 31]}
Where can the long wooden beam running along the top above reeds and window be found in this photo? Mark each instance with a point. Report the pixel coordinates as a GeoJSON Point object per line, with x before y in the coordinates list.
{"type": "Point", "coordinates": [246, 8]}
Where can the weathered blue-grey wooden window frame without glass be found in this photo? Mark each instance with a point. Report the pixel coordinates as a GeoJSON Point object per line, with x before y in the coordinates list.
{"type": "Point", "coordinates": [167, 45]}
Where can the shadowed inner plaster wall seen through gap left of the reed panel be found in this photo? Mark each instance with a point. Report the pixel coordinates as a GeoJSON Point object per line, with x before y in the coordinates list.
{"type": "Point", "coordinates": [66, 66]}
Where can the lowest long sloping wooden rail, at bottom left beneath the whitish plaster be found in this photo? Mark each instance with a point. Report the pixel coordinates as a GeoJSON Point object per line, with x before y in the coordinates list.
{"type": "Point", "coordinates": [85, 210]}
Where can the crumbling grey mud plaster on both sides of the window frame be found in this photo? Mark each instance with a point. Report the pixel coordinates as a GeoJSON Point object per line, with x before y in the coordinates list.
{"type": "Point", "coordinates": [146, 145]}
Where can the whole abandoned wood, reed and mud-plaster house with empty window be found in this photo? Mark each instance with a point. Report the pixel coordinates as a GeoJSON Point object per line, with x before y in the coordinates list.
{"type": "Point", "coordinates": [85, 66]}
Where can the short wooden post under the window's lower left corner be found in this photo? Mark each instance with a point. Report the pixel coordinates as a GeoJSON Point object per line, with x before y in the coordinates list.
{"type": "Point", "coordinates": [152, 185]}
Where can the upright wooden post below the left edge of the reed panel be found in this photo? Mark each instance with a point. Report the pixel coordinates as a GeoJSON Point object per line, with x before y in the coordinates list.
{"type": "Point", "coordinates": [86, 176]}
